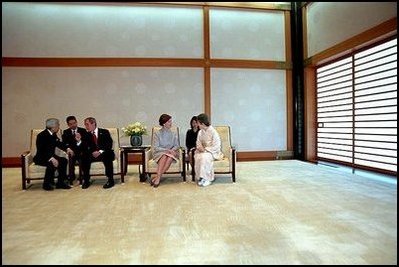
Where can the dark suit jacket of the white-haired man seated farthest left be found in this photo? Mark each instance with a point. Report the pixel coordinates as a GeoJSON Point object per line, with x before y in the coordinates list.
{"type": "Point", "coordinates": [46, 144]}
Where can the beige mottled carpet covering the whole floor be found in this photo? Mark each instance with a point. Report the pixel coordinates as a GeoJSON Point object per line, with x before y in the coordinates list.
{"type": "Point", "coordinates": [278, 212]}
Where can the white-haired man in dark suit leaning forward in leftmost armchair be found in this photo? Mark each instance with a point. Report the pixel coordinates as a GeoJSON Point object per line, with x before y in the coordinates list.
{"type": "Point", "coordinates": [46, 142]}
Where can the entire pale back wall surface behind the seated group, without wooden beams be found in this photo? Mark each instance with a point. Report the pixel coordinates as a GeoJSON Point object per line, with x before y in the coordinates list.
{"type": "Point", "coordinates": [250, 100]}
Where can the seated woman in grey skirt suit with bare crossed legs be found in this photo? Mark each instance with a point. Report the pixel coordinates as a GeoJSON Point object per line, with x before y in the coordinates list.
{"type": "Point", "coordinates": [166, 145]}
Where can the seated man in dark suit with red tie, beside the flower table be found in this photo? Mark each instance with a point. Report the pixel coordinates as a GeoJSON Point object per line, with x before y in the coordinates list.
{"type": "Point", "coordinates": [96, 146]}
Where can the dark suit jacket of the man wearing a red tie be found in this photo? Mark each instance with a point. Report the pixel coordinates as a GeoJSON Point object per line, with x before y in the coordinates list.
{"type": "Point", "coordinates": [104, 141]}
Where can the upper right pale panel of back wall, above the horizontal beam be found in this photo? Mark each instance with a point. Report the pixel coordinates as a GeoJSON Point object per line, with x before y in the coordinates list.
{"type": "Point", "coordinates": [241, 34]}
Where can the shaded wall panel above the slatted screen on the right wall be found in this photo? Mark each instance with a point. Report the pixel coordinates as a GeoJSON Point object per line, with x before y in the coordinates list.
{"type": "Point", "coordinates": [330, 23]}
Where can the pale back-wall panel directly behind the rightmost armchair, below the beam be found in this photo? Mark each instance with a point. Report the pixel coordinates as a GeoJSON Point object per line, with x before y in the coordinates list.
{"type": "Point", "coordinates": [253, 103]}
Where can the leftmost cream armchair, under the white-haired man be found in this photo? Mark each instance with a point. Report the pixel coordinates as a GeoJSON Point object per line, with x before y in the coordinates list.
{"type": "Point", "coordinates": [31, 171]}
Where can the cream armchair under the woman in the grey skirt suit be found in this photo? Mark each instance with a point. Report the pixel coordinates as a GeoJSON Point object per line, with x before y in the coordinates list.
{"type": "Point", "coordinates": [175, 168]}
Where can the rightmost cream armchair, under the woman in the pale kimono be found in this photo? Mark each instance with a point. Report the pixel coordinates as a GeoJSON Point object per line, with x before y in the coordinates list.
{"type": "Point", "coordinates": [226, 165]}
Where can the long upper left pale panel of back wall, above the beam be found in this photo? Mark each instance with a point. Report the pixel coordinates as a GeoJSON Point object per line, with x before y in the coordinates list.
{"type": "Point", "coordinates": [86, 30]}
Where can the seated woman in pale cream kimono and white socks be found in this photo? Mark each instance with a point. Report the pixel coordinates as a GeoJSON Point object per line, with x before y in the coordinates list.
{"type": "Point", "coordinates": [208, 149]}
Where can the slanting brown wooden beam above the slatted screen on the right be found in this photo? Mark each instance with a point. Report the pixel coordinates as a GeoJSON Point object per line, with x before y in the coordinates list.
{"type": "Point", "coordinates": [383, 30]}
